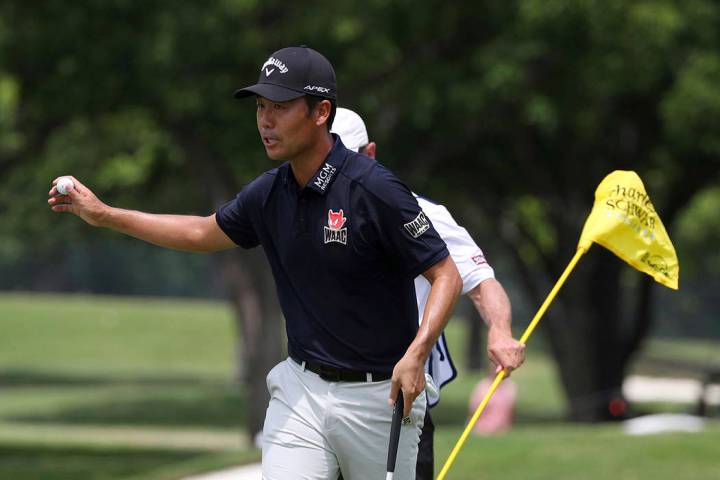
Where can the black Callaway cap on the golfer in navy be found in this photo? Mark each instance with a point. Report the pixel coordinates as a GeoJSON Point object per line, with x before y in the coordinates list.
{"type": "Point", "coordinates": [291, 73]}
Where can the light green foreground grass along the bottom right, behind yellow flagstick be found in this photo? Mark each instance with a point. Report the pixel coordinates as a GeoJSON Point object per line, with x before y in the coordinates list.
{"type": "Point", "coordinates": [572, 452]}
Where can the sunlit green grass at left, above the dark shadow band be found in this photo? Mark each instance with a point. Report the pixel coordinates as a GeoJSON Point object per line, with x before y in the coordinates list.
{"type": "Point", "coordinates": [71, 336]}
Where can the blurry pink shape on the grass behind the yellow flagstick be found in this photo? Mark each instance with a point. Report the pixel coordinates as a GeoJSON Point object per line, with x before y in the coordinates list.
{"type": "Point", "coordinates": [498, 414]}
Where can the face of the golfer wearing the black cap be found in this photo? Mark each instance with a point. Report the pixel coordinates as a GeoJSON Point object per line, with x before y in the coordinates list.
{"type": "Point", "coordinates": [285, 128]}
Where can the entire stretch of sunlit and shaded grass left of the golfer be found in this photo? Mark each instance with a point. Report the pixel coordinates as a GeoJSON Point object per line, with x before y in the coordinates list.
{"type": "Point", "coordinates": [104, 387]}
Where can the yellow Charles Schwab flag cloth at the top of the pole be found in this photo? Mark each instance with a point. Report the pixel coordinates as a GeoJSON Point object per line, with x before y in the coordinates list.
{"type": "Point", "coordinates": [624, 221]}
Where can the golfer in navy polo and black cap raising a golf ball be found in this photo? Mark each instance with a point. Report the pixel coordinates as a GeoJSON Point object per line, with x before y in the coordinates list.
{"type": "Point", "coordinates": [345, 240]}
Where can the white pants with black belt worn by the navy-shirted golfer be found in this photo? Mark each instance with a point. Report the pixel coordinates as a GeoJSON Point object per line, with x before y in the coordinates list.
{"type": "Point", "coordinates": [315, 429]}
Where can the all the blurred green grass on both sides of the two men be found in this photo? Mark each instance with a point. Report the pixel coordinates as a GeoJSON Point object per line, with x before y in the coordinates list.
{"type": "Point", "coordinates": [101, 388]}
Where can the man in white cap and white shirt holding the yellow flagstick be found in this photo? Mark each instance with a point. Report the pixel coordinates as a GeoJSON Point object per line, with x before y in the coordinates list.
{"type": "Point", "coordinates": [479, 284]}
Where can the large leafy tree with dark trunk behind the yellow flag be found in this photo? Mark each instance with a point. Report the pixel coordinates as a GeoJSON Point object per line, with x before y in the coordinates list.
{"type": "Point", "coordinates": [524, 107]}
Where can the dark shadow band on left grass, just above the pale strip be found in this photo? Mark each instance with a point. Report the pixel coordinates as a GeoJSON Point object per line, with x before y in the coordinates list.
{"type": "Point", "coordinates": [188, 407]}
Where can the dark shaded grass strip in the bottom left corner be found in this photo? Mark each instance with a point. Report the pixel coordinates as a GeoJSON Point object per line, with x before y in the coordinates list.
{"type": "Point", "coordinates": [62, 463]}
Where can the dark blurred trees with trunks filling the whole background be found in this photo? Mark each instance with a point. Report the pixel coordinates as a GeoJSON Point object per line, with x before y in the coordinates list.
{"type": "Point", "coordinates": [510, 112]}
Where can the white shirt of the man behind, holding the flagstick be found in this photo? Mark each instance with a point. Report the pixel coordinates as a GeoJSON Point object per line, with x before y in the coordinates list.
{"type": "Point", "coordinates": [473, 269]}
